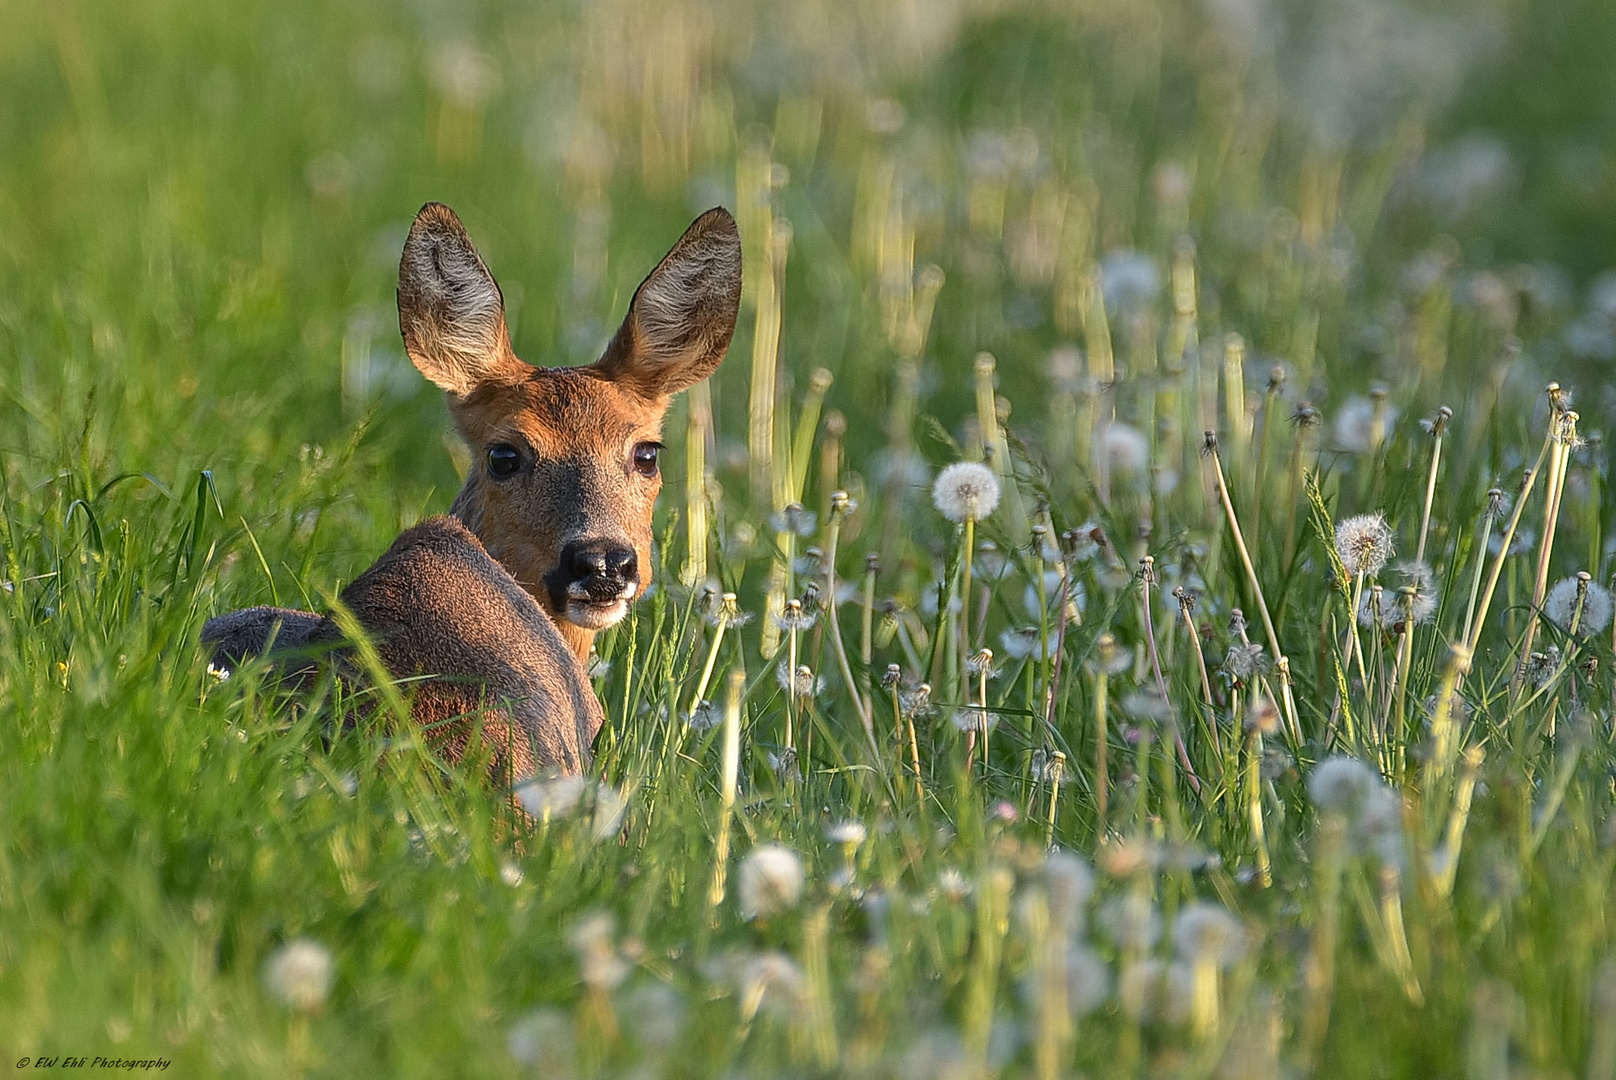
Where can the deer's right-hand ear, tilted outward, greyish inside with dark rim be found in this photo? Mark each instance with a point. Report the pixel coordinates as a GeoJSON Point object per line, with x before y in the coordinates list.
{"type": "Point", "coordinates": [683, 316]}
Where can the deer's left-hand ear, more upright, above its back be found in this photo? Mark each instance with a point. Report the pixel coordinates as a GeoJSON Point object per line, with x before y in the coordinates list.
{"type": "Point", "coordinates": [450, 310]}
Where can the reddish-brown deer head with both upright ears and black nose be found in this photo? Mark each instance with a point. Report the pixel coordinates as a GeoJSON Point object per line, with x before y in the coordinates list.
{"type": "Point", "coordinates": [565, 470]}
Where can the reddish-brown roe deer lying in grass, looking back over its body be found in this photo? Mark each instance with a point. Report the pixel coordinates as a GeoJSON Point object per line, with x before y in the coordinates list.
{"type": "Point", "coordinates": [550, 539]}
